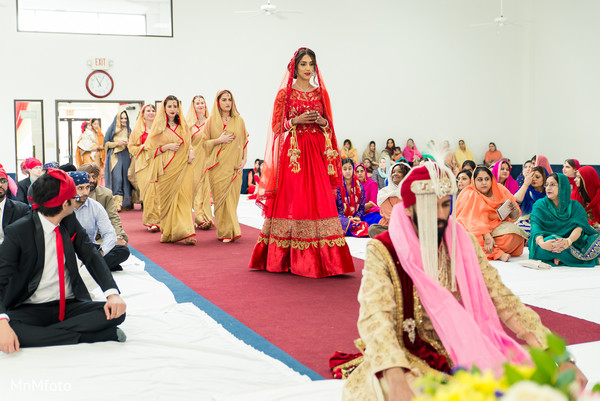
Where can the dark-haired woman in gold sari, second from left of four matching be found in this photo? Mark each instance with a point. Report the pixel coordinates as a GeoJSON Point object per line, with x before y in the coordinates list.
{"type": "Point", "coordinates": [172, 170]}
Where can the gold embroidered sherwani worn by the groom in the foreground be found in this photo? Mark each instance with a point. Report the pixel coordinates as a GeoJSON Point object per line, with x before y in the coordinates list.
{"type": "Point", "coordinates": [380, 319]}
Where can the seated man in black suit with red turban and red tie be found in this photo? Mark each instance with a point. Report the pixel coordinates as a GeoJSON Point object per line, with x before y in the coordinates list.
{"type": "Point", "coordinates": [43, 299]}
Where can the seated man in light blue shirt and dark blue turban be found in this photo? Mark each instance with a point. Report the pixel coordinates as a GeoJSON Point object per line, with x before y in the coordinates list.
{"type": "Point", "coordinates": [94, 219]}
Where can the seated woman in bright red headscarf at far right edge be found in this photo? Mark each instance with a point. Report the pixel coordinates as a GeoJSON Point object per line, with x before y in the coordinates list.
{"type": "Point", "coordinates": [588, 193]}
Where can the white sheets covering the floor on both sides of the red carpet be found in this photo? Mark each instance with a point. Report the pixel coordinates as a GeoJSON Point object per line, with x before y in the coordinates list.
{"type": "Point", "coordinates": [177, 352]}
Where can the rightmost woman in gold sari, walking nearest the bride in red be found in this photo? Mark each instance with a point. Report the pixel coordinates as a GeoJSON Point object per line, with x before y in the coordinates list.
{"type": "Point", "coordinates": [225, 140]}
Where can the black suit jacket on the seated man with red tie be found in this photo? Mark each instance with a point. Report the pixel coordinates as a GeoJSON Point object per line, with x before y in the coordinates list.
{"type": "Point", "coordinates": [22, 260]}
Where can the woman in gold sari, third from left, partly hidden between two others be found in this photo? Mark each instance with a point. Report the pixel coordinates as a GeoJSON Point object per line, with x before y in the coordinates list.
{"type": "Point", "coordinates": [196, 118]}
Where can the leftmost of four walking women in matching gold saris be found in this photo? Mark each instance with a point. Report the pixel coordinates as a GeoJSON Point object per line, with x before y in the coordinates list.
{"type": "Point", "coordinates": [141, 159]}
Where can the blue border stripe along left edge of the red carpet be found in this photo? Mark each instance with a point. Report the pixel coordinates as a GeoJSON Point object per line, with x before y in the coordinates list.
{"type": "Point", "coordinates": [183, 293]}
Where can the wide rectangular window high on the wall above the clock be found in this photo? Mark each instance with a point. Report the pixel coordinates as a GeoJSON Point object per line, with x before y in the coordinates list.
{"type": "Point", "coordinates": [100, 17]}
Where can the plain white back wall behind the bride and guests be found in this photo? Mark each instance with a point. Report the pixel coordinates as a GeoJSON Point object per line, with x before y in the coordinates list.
{"type": "Point", "coordinates": [394, 68]}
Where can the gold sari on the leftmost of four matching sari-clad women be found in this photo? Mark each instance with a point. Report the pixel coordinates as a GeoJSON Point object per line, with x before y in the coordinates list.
{"type": "Point", "coordinates": [141, 159]}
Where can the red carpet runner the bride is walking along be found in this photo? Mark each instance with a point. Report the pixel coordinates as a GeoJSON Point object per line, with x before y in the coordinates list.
{"type": "Point", "coordinates": [307, 318]}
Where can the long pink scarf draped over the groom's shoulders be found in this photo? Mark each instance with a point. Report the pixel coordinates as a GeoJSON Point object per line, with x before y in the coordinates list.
{"type": "Point", "coordinates": [471, 332]}
